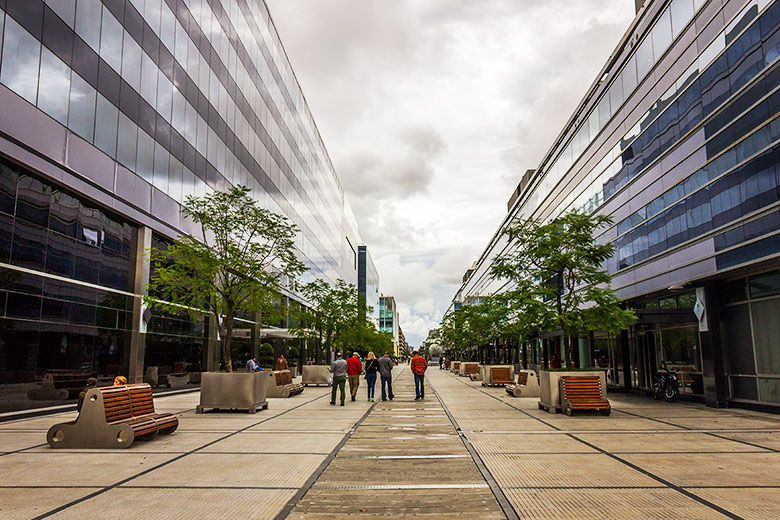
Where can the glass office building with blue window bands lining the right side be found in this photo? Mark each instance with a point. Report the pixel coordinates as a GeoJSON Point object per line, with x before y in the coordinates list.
{"type": "Point", "coordinates": [679, 140]}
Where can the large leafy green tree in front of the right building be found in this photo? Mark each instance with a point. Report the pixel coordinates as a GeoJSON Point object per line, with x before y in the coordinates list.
{"type": "Point", "coordinates": [559, 278]}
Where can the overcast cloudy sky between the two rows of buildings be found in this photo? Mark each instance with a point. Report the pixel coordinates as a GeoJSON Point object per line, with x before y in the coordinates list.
{"type": "Point", "coordinates": [431, 110]}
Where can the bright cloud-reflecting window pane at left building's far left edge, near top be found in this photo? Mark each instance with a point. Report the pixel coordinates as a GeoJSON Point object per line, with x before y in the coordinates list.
{"type": "Point", "coordinates": [21, 55]}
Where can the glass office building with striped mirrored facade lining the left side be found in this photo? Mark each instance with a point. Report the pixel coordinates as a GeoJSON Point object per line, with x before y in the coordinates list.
{"type": "Point", "coordinates": [113, 112]}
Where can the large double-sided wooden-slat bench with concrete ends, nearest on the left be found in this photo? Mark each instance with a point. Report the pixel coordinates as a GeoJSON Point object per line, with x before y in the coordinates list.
{"type": "Point", "coordinates": [113, 417]}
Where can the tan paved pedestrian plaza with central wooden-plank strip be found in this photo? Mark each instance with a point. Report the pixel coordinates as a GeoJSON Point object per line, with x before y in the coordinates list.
{"type": "Point", "coordinates": [465, 451]}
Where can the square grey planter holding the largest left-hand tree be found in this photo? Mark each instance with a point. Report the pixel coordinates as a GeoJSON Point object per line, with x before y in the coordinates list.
{"type": "Point", "coordinates": [233, 391]}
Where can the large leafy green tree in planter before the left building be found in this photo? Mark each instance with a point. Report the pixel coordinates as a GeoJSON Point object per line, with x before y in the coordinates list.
{"type": "Point", "coordinates": [236, 265]}
